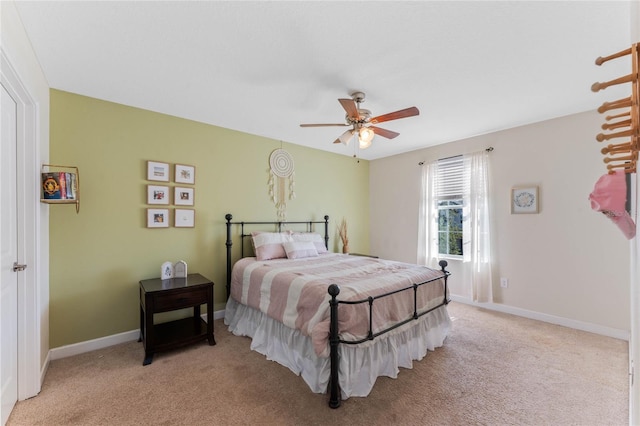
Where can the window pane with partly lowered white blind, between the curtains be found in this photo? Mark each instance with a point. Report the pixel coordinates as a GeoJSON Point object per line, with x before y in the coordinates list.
{"type": "Point", "coordinates": [449, 195]}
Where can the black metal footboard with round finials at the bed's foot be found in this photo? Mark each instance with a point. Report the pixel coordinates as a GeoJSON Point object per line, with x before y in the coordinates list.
{"type": "Point", "coordinates": [334, 338]}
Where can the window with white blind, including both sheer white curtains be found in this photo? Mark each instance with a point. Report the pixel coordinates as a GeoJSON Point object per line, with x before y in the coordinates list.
{"type": "Point", "coordinates": [453, 219]}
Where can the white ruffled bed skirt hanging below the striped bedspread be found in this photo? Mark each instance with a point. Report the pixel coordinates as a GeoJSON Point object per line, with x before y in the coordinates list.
{"type": "Point", "coordinates": [360, 365]}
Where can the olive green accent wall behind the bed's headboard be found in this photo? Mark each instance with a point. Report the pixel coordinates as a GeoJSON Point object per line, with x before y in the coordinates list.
{"type": "Point", "coordinates": [98, 256]}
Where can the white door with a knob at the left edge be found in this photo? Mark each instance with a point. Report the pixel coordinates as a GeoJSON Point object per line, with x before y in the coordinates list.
{"type": "Point", "coordinates": [8, 255]}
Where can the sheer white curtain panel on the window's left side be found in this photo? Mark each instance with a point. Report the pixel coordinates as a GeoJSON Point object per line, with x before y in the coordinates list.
{"type": "Point", "coordinates": [428, 217]}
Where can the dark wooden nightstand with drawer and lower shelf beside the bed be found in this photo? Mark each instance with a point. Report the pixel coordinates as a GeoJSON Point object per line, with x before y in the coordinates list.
{"type": "Point", "coordinates": [157, 295]}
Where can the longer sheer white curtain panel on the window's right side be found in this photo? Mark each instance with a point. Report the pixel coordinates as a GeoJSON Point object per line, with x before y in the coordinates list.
{"type": "Point", "coordinates": [477, 225]}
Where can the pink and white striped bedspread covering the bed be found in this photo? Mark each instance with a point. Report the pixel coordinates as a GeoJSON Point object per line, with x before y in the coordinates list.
{"type": "Point", "coordinates": [294, 292]}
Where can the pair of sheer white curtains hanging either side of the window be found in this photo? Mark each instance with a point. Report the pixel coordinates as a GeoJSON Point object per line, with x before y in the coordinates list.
{"type": "Point", "coordinates": [476, 223]}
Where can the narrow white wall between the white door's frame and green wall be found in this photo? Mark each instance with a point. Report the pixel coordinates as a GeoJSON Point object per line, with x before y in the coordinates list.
{"type": "Point", "coordinates": [17, 48]}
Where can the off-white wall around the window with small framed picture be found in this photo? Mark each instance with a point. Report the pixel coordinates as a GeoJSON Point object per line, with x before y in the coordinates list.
{"type": "Point", "coordinates": [568, 261]}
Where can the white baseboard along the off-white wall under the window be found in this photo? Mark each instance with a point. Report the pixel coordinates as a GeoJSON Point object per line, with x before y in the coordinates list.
{"type": "Point", "coordinates": [566, 322]}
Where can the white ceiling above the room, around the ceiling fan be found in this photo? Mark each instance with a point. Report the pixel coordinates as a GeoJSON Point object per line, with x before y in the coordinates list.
{"type": "Point", "coordinates": [471, 67]}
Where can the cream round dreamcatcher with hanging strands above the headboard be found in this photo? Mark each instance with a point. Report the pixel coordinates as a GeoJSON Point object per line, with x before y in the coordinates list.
{"type": "Point", "coordinates": [281, 164]}
